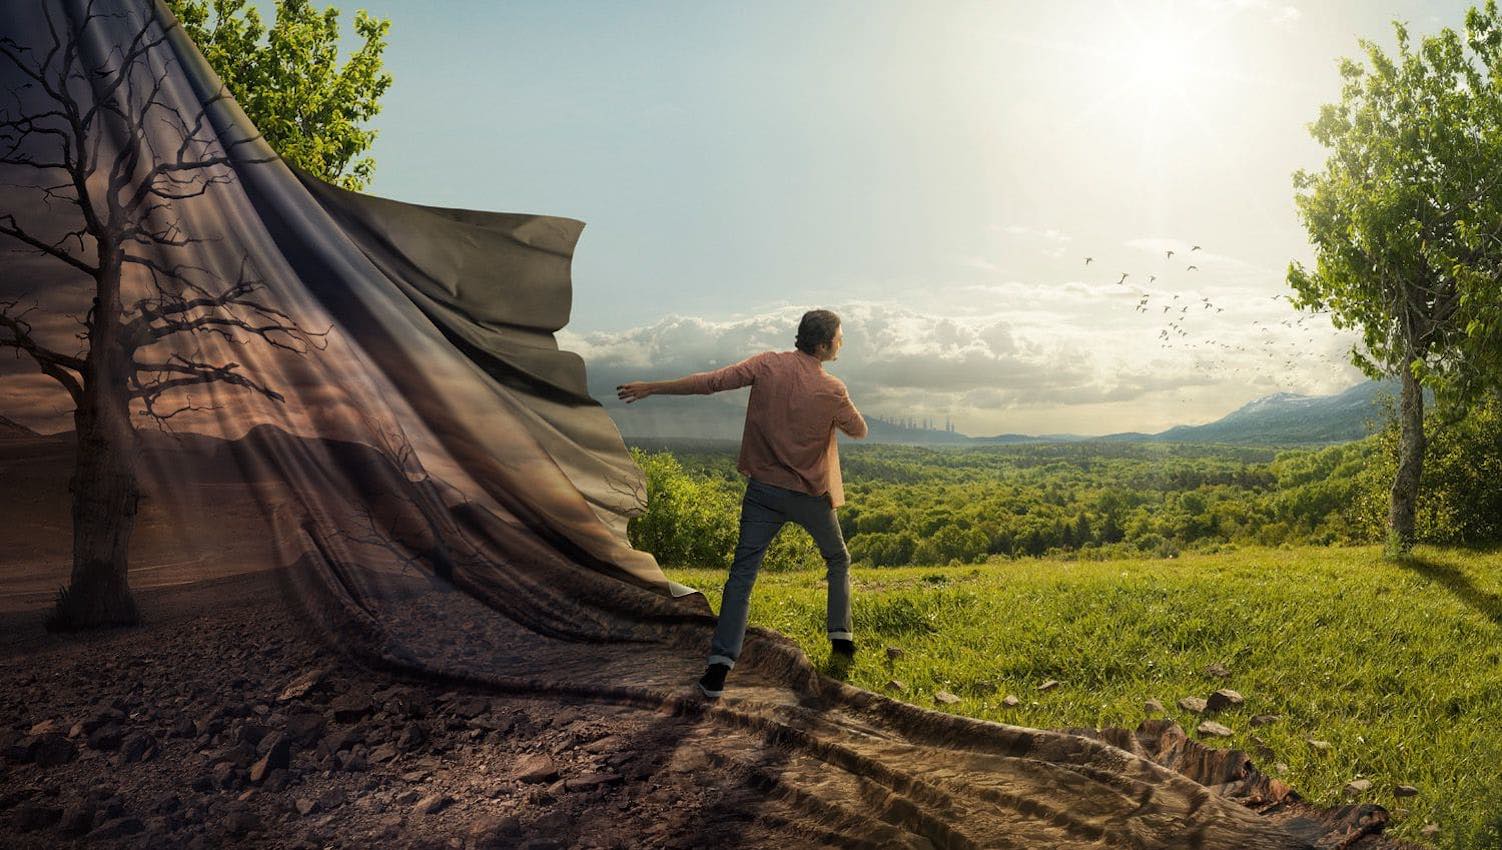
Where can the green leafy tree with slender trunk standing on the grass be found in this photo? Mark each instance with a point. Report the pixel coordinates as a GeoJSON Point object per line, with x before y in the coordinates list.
{"type": "Point", "coordinates": [1407, 226]}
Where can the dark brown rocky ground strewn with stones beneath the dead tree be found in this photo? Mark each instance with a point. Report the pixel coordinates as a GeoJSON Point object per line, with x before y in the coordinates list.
{"type": "Point", "coordinates": [228, 725]}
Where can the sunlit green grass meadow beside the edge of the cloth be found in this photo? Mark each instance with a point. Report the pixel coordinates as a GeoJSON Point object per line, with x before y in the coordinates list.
{"type": "Point", "coordinates": [1398, 666]}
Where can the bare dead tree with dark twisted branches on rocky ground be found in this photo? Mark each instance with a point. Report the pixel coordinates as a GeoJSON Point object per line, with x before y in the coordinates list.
{"type": "Point", "coordinates": [101, 139]}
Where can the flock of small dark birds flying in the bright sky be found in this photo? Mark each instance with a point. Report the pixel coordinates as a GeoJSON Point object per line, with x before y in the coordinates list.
{"type": "Point", "coordinates": [1282, 349]}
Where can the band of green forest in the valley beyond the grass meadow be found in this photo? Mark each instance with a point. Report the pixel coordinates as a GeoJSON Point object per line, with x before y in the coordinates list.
{"type": "Point", "coordinates": [1093, 501]}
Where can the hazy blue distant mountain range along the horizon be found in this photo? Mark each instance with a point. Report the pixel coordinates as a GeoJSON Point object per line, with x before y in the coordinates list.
{"type": "Point", "coordinates": [1276, 420]}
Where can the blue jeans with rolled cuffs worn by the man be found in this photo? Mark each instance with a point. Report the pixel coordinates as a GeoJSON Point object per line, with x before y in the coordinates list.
{"type": "Point", "coordinates": [764, 510]}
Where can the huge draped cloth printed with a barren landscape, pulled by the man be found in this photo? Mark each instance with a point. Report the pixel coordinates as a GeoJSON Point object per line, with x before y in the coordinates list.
{"type": "Point", "coordinates": [448, 501]}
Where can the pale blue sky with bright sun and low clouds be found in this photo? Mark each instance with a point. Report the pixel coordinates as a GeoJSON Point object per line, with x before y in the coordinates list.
{"type": "Point", "coordinates": [933, 172]}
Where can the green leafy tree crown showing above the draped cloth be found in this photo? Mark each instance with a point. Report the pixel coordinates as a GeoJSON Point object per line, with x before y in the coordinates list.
{"type": "Point", "coordinates": [291, 83]}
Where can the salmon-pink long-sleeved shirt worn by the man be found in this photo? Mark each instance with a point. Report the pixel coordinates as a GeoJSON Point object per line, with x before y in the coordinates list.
{"type": "Point", "coordinates": [792, 415]}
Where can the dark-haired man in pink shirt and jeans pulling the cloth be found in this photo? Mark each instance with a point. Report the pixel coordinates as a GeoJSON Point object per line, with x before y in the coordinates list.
{"type": "Point", "coordinates": [792, 463]}
